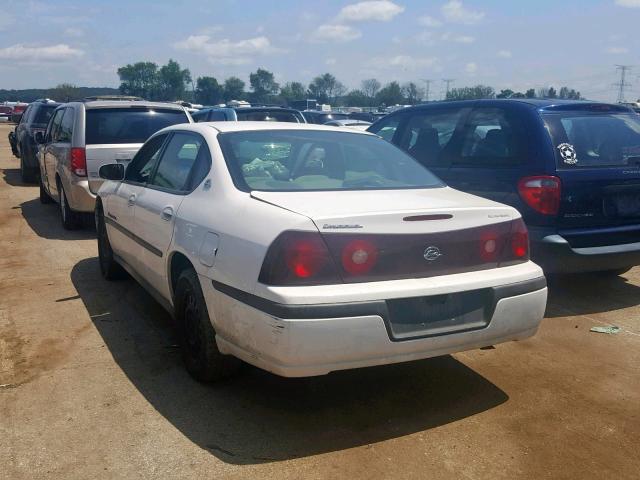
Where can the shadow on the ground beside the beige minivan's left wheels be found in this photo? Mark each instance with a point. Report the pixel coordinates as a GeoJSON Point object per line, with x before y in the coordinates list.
{"type": "Point", "coordinates": [44, 220]}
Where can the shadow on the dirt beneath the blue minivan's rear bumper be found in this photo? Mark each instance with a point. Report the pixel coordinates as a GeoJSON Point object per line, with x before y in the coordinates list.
{"type": "Point", "coordinates": [590, 293]}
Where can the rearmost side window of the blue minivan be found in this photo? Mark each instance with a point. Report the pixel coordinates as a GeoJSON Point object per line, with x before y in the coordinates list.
{"type": "Point", "coordinates": [492, 137]}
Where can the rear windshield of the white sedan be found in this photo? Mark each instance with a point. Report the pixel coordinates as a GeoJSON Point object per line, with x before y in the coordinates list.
{"type": "Point", "coordinates": [288, 160]}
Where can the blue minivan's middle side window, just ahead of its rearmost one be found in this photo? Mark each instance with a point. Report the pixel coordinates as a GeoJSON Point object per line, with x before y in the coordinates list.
{"type": "Point", "coordinates": [428, 134]}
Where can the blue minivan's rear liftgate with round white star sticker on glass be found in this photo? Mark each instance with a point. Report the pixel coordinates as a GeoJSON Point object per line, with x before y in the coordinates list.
{"type": "Point", "coordinates": [597, 155]}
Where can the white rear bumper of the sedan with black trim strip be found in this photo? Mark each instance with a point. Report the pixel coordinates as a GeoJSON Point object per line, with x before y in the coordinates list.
{"type": "Point", "coordinates": [307, 340]}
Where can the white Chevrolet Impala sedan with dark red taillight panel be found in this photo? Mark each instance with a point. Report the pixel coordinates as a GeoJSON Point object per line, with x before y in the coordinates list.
{"type": "Point", "coordinates": [305, 249]}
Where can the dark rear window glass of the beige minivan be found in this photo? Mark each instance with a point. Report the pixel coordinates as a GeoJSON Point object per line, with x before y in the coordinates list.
{"type": "Point", "coordinates": [128, 125]}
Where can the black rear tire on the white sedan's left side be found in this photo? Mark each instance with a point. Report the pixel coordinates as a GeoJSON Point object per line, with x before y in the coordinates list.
{"type": "Point", "coordinates": [200, 352]}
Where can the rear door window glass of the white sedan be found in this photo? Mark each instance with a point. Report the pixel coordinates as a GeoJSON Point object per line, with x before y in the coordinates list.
{"type": "Point", "coordinates": [178, 159]}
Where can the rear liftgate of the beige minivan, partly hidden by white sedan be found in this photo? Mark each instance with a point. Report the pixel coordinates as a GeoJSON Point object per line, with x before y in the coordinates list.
{"type": "Point", "coordinates": [114, 135]}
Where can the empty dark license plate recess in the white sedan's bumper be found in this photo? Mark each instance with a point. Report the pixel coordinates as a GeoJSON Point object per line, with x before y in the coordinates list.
{"type": "Point", "coordinates": [439, 314]}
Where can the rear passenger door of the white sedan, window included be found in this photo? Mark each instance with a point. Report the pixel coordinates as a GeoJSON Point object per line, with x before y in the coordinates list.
{"type": "Point", "coordinates": [184, 163]}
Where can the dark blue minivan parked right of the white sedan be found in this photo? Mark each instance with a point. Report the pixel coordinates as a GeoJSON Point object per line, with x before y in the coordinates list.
{"type": "Point", "coordinates": [572, 168]}
